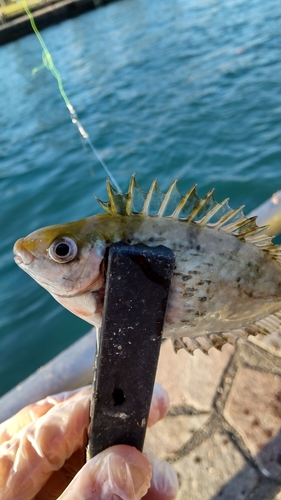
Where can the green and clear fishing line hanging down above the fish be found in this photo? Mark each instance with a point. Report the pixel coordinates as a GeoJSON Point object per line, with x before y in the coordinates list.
{"type": "Point", "coordinates": [49, 64]}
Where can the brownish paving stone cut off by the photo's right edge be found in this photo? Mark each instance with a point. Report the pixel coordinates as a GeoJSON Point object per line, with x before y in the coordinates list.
{"type": "Point", "coordinates": [253, 408]}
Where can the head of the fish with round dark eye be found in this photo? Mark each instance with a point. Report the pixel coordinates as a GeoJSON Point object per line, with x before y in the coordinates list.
{"type": "Point", "coordinates": [66, 259]}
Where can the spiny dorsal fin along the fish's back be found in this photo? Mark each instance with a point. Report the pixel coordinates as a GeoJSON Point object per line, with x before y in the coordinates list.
{"type": "Point", "coordinates": [190, 208]}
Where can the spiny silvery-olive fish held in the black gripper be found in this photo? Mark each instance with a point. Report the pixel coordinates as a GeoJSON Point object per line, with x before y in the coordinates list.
{"type": "Point", "coordinates": [227, 278]}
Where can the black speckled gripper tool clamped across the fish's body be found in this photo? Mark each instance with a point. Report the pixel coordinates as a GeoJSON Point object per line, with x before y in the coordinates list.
{"type": "Point", "coordinates": [137, 287]}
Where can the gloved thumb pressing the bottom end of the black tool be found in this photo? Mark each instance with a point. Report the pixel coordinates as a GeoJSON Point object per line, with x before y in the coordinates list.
{"type": "Point", "coordinates": [119, 472]}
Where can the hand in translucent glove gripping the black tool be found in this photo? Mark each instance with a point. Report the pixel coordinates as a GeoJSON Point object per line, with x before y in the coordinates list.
{"type": "Point", "coordinates": [42, 456]}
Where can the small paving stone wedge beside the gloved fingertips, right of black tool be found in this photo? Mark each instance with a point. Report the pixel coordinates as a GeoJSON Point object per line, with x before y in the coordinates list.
{"type": "Point", "coordinates": [168, 435]}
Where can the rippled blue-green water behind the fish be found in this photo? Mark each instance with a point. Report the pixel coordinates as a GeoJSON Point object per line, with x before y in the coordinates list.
{"type": "Point", "coordinates": [183, 89]}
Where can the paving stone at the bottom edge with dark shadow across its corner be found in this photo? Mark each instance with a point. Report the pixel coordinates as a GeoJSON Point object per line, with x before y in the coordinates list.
{"type": "Point", "coordinates": [215, 470]}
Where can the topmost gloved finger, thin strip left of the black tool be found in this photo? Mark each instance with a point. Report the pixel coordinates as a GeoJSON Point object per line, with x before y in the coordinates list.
{"type": "Point", "coordinates": [34, 411]}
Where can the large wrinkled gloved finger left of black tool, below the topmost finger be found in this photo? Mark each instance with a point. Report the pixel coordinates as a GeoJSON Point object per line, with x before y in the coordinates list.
{"type": "Point", "coordinates": [31, 455]}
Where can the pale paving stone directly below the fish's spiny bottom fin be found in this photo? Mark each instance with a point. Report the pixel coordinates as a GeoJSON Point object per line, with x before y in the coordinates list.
{"type": "Point", "coordinates": [192, 380]}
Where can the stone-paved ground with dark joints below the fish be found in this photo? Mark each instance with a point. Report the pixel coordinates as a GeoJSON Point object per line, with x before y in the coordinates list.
{"type": "Point", "coordinates": [223, 431]}
